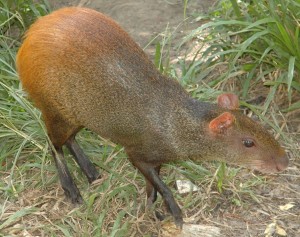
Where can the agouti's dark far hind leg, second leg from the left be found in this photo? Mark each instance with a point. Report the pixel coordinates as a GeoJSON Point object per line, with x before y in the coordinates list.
{"type": "Point", "coordinates": [82, 160]}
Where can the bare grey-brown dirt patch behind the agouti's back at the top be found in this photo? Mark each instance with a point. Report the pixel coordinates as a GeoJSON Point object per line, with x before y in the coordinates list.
{"type": "Point", "coordinates": [145, 19]}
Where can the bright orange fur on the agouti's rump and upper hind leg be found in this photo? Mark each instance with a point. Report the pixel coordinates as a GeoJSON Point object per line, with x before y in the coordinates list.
{"type": "Point", "coordinates": [63, 43]}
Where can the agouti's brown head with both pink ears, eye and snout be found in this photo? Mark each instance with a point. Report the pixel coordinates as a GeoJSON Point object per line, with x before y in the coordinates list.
{"type": "Point", "coordinates": [242, 141]}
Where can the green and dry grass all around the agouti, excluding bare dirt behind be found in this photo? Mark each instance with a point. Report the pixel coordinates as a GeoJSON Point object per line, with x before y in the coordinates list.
{"type": "Point", "coordinates": [249, 47]}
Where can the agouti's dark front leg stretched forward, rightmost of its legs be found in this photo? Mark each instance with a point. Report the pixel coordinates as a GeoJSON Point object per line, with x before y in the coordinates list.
{"type": "Point", "coordinates": [150, 173]}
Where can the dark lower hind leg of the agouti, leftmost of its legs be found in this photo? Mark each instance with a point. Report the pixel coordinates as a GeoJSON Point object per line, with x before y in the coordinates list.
{"type": "Point", "coordinates": [67, 183]}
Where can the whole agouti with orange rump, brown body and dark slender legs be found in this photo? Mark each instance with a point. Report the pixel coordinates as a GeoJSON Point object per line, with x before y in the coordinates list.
{"type": "Point", "coordinates": [82, 70]}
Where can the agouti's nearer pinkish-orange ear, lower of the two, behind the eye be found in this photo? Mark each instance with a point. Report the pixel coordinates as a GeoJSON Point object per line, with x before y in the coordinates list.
{"type": "Point", "coordinates": [221, 123]}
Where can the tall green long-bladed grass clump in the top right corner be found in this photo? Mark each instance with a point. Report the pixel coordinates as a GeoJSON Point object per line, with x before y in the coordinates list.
{"type": "Point", "coordinates": [257, 42]}
